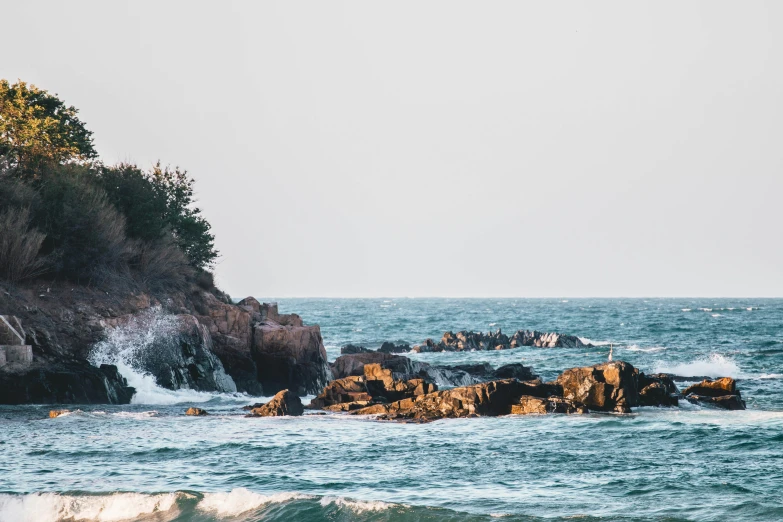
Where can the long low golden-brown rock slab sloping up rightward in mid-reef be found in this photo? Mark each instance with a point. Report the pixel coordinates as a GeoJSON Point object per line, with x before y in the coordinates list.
{"type": "Point", "coordinates": [489, 398]}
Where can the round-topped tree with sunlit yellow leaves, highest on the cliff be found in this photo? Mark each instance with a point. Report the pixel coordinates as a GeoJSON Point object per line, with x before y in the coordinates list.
{"type": "Point", "coordinates": [37, 128]}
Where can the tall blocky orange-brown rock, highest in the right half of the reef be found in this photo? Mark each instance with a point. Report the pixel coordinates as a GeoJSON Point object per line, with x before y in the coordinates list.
{"type": "Point", "coordinates": [609, 386]}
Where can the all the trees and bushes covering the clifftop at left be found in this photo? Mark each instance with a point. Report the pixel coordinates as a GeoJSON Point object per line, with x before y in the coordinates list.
{"type": "Point", "coordinates": [65, 215]}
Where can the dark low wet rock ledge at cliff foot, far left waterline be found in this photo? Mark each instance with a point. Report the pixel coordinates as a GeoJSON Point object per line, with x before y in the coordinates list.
{"type": "Point", "coordinates": [67, 382]}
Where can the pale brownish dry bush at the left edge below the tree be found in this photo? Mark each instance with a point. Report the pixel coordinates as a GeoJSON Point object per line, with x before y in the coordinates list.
{"type": "Point", "coordinates": [20, 244]}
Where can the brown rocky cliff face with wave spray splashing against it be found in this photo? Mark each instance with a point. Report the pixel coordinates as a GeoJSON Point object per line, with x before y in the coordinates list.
{"type": "Point", "coordinates": [193, 340]}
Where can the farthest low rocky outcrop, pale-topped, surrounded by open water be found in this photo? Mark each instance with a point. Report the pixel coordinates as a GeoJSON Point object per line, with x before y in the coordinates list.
{"type": "Point", "coordinates": [473, 341]}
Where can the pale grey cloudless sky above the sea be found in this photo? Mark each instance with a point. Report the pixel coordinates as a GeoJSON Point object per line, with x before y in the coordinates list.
{"type": "Point", "coordinates": [443, 148]}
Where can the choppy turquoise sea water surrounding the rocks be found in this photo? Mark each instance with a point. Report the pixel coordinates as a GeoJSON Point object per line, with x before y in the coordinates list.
{"type": "Point", "coordinates": [147, 461]}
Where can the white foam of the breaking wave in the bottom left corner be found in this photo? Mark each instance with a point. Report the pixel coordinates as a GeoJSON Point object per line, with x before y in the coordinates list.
{"type": "Point", "coordinates": [46, 507]}
